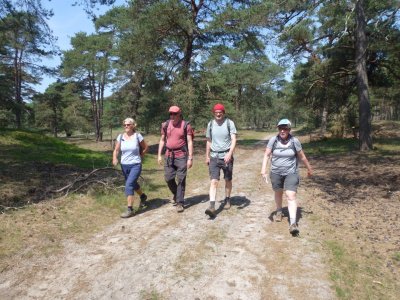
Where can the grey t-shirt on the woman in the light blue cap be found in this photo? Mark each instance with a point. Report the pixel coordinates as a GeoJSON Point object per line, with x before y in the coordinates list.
{"type": "Point", "coordinates": [284, 159]}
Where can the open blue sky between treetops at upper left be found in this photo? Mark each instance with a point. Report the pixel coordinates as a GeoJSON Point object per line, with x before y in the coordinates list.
{"type": "Point", "coordinates": [66, 22]}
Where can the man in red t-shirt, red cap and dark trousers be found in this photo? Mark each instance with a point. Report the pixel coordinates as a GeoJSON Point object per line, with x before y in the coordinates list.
{"type": "Point", "coordinates": [177, 140]}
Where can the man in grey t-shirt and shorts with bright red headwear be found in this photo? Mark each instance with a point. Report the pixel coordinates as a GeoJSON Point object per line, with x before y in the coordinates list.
{"type": "Point", "coordinates": [221, 143]}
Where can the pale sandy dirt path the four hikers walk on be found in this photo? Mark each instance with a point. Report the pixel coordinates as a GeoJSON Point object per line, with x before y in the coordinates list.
{"type": "Point", "coordinates": [161, 254]}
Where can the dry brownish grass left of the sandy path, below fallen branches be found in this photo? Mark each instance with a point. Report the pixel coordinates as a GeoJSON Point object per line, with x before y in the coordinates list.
{"type": "Point", "coordinates": [39, 229]}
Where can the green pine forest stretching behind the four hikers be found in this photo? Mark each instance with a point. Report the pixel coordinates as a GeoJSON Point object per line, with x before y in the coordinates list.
{"type": "Point", "coordinates": [342, 56]}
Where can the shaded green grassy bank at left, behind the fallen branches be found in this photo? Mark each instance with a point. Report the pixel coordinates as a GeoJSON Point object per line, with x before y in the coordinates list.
{"type": "Point", "coordinates": [23, 146]}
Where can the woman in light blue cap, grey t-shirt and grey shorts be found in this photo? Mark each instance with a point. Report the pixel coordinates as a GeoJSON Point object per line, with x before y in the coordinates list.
{"type": "Point", "coordinates": [285, 151]}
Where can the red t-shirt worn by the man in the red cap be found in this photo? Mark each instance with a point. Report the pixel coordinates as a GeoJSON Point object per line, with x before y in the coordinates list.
{"type": "Point", "coordinates": [176, 138]}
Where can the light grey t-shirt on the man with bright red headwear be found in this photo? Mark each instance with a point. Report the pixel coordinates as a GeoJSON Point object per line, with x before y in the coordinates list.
{"type": "Point", "coordinates": [220, 140]}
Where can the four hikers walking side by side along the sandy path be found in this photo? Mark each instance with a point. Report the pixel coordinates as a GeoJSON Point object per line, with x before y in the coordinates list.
{"type": "Point", "coordinates": [283, 151]}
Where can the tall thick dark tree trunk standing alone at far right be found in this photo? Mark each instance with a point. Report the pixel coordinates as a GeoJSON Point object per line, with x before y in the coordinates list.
{"type": "Point", "coordinates": [365, 139]}
